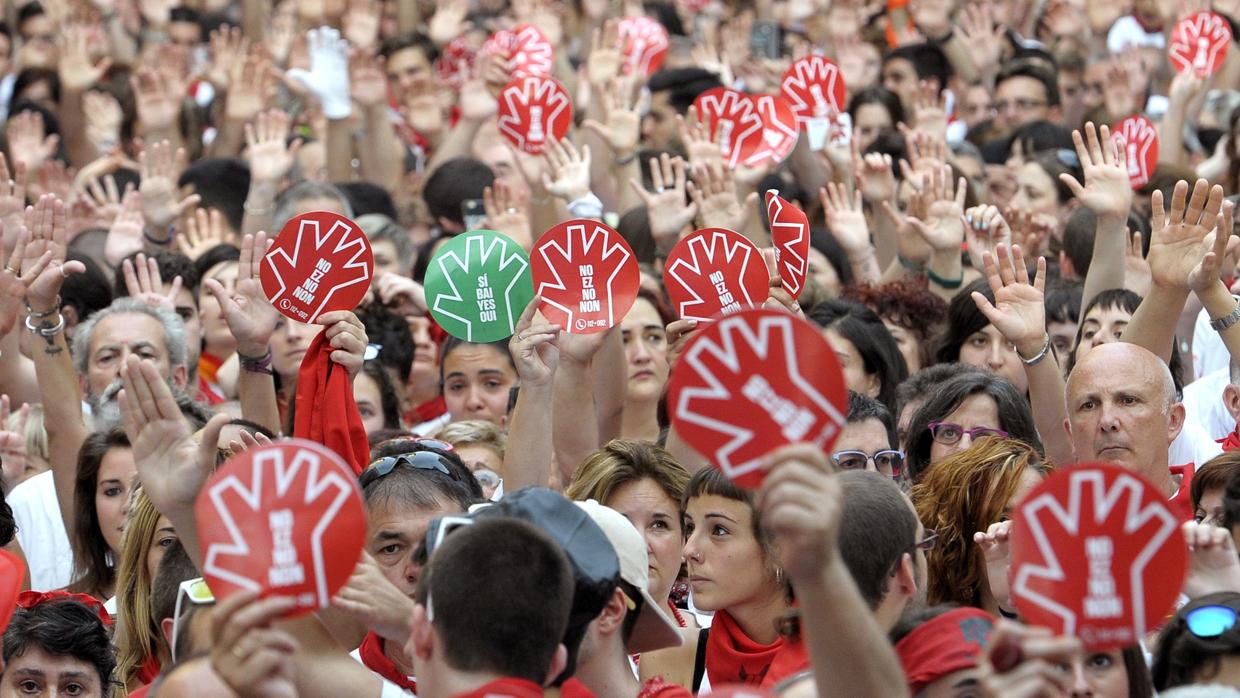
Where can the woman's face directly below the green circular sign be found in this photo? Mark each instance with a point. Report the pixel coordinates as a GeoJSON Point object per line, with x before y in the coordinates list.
{"type": "Point", "coordinates": [477, 384]}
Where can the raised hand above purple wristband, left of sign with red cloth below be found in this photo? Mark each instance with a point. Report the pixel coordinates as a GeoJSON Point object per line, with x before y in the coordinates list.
{"type": "Point", "coordinates": [251, 318]}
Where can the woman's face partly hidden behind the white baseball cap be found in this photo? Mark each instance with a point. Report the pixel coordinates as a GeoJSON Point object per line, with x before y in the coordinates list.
{"type": "Point", "coordinates": [658, 518]}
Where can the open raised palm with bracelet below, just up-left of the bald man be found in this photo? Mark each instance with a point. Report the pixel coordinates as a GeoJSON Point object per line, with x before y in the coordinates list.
{"type": "Point", "coordinates": [1019, 311]}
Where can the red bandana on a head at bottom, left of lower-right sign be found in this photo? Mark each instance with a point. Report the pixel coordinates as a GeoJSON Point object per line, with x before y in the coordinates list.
{"type": "Point", "coordinates": [943, 645]}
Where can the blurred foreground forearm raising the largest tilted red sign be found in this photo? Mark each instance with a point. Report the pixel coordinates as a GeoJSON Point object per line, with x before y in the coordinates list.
{"type": "Point", "coordinates": [849, 652]}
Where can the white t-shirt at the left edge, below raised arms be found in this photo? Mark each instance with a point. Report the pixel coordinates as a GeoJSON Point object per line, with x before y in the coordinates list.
{"type": "Point", "coordinates": [42, 534]}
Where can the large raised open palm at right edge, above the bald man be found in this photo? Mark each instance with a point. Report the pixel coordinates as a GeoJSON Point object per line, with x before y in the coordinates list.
{"type": "Point", "coordinates": [1179, 236]}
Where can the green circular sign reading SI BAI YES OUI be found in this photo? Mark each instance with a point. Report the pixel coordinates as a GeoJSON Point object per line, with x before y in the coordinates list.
{"type": "Point", "coordinates": [478, 286]}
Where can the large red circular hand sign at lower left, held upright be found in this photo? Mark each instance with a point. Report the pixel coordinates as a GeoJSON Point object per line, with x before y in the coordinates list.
{"type": "Point", "coordinates": [285, 520]}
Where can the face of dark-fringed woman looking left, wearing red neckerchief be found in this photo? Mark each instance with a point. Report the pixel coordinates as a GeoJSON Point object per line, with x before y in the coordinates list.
{"type": "Point", "coordinates": [726, 562]}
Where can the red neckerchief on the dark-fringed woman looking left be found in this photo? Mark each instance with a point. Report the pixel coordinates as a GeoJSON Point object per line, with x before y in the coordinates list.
{"type": "Point", "coordinates": [733, 658]}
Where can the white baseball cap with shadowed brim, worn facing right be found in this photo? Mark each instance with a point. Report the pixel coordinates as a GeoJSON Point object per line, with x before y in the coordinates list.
{"type": "Point", "coordinates": [654, 629]}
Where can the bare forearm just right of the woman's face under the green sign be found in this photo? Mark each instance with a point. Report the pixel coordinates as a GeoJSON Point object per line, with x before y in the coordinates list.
{"type": "Point", "coordinates": [530, 451]}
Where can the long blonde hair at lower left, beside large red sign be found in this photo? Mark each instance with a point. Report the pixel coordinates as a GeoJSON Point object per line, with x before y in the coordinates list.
{"type": "Point", "coordinates": [138, 635]}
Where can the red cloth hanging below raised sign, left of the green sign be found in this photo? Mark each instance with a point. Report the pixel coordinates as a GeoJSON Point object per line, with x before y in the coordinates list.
{"type": "Point", "coordinates": [327, 412]}
